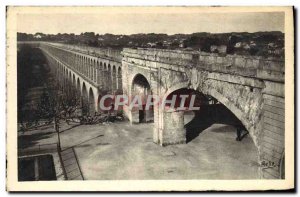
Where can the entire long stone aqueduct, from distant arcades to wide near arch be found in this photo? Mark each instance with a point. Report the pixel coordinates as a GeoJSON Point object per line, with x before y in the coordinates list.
{"type": "Point", "coordinates": [252, 88]}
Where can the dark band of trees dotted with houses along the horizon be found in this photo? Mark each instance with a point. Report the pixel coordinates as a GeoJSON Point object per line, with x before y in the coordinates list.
{"type": "Point", "coordinates": [268, 44]}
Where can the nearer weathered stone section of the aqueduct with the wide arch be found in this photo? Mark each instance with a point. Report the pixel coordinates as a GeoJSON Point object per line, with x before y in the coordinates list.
{"type": "Point", "coordinates": [252, 88]}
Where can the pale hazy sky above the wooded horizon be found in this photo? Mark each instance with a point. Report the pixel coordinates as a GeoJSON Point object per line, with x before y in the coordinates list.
{"type": "Point", "coordinates": [134, 21]}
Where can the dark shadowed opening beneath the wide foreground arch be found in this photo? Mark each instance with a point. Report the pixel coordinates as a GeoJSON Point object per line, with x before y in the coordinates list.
{"type": "Point", "coordinates": [211, 112]}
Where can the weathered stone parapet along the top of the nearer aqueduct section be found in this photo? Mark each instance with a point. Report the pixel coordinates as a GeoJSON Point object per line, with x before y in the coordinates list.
{"type": "Point", "coordinates": [249, 66]}
